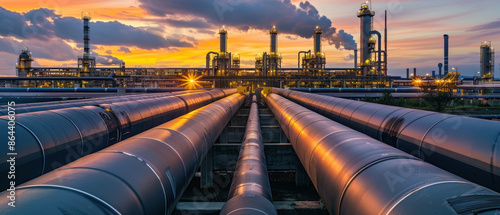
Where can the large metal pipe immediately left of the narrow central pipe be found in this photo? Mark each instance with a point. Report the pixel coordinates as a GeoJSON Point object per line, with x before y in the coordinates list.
{"type": "Point", "coordinates": [145, 174]}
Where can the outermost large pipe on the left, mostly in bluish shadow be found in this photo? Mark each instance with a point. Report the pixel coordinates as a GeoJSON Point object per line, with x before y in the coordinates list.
{"type": "Point", "coordinates": [50, 139]}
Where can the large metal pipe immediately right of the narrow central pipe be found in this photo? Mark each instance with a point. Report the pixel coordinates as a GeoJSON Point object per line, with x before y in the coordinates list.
{"type": "Point", "coordinates": [355, 174]}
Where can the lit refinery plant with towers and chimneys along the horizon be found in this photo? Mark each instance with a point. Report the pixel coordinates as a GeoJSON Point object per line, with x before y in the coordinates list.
{"type": "Point", "coordinates": [223, 67]}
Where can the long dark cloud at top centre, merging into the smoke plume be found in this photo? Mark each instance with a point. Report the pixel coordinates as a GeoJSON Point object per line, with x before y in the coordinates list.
{"type": "Point", "coordinates": [254, 14]}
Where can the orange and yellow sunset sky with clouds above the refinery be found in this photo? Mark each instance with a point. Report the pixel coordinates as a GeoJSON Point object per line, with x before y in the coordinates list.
{"type": "Point", "coordinates": [178, 33]}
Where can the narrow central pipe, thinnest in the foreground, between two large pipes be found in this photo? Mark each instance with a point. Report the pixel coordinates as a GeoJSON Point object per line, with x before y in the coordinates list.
{"type": "Point", "coordinates": [250, 191]}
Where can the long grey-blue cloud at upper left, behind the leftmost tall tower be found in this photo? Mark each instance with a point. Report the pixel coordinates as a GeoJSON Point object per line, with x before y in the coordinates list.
{"type": "Point", "coordinates": [44, 24]}
